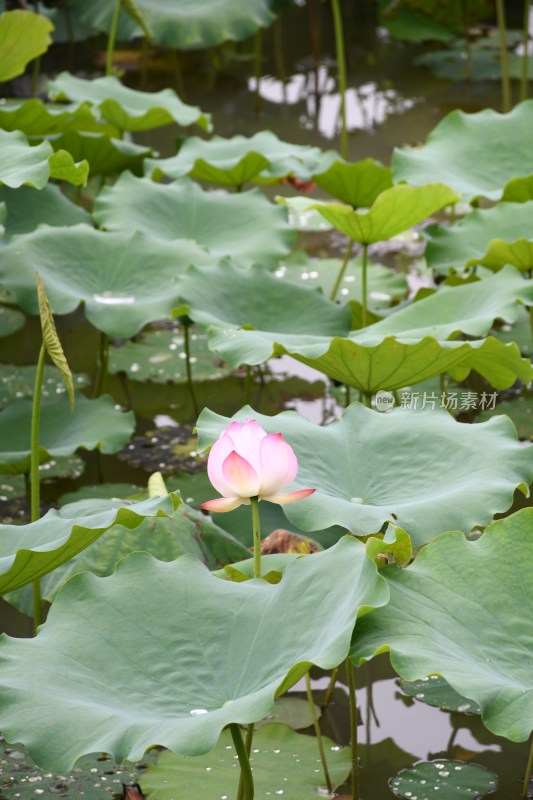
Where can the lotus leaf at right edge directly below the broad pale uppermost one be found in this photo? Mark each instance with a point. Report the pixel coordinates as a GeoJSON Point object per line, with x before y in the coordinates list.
{"type": "Point", "coordinates": [468, 242]}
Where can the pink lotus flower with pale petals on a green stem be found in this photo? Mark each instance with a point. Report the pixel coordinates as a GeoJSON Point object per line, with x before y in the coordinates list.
{"type": "Point", "coordinates": [247, 462]}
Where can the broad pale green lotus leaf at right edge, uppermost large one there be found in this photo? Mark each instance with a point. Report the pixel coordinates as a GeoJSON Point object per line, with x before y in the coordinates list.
{"type": "Point", "coordinates": [461, 150]}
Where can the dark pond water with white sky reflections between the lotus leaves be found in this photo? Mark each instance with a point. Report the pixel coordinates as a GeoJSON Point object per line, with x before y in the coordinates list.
{"type": "Point", "coordinates": [390, 102]}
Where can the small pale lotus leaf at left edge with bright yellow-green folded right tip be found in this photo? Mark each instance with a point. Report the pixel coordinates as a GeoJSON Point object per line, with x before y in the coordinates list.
{"type": "Point", "coordinates": [21, 164]}
